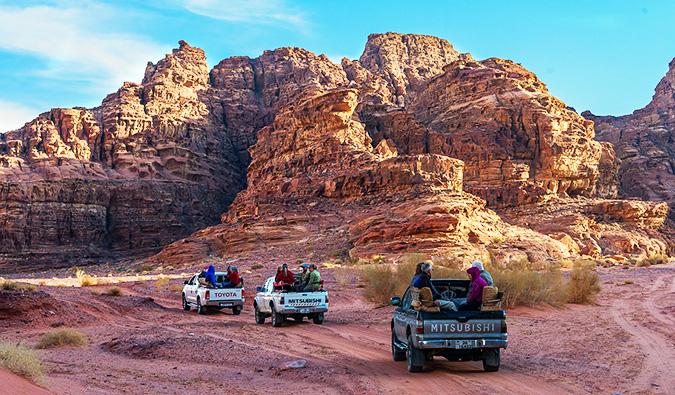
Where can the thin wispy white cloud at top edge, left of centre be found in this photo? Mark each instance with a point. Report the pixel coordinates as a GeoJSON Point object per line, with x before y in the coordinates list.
{"type": "Point", "coordinates": [250, 11]}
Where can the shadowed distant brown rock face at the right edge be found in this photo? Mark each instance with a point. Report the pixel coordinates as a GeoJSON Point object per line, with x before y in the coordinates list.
{"type": "Point", "coordinates": [645, 143]}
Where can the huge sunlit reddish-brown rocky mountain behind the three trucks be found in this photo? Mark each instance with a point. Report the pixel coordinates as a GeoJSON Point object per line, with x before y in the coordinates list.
{"type": "Point", "coordinates": [414, 147]}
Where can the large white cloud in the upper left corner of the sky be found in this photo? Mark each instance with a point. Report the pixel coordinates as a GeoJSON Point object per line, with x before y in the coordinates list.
{"type": "Point", "coordinates": [77, 41]}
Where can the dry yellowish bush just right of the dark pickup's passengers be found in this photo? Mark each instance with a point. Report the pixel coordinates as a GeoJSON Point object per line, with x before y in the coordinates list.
{"type": "Point", "coordinates": [529, 287]}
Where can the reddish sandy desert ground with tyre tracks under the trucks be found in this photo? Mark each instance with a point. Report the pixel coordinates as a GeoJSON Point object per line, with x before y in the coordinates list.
{"type": "Point", "coordinates": [144, 343]}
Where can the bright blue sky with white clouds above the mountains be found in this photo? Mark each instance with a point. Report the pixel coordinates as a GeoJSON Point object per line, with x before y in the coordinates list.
{"type": "Point", "coordinates": [604, 56]}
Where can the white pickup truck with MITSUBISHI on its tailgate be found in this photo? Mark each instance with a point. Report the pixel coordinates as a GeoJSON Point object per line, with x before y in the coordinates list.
{"type": "Point", "coordinates": [283, 304]}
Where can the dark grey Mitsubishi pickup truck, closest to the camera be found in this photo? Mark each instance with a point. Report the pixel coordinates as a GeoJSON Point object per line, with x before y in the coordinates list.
{"type": "Point", "coordinates": [417, 336]}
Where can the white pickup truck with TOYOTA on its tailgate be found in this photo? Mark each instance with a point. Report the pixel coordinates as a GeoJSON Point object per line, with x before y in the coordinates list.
{"type": "Point", "coordinates": [203, 298]}
